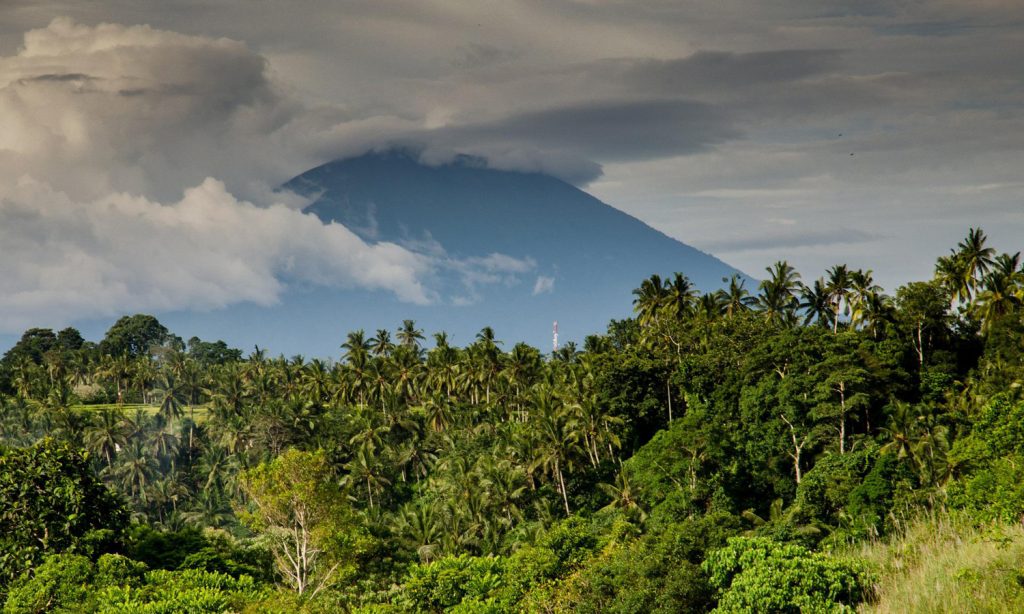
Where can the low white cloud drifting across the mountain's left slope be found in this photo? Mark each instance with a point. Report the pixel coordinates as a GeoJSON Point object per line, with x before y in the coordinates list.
{"type": "Point", "coordinates": [121, 253]}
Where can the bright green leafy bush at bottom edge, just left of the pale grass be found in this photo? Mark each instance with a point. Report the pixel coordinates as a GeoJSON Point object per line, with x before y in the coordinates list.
{"type": "Point", "coordinates": [755, 575]}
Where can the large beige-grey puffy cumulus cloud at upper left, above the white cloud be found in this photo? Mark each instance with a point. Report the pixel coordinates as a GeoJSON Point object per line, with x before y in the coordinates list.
{"type": "Point", "coordinates": [107, 109]}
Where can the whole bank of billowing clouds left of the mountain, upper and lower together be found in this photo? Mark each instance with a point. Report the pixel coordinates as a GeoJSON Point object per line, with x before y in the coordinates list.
{"type": "Point", "coordinates": [137, 173]}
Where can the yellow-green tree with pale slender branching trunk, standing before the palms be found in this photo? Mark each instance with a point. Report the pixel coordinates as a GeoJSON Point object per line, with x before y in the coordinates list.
{"type": "Point", "coordinates": [295, 503]}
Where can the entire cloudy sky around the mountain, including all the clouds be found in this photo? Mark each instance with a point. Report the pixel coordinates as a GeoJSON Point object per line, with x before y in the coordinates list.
{"type": "Point", "coordinates": [142, 141]}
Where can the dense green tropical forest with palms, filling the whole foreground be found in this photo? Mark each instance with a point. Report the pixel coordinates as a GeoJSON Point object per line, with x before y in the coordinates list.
{"type": "Point", "coordinates": [803, 446]}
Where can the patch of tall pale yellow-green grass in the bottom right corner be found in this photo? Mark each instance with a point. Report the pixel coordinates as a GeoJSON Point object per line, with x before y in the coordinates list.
{"type": "Point", "coordinates": [948, 564]}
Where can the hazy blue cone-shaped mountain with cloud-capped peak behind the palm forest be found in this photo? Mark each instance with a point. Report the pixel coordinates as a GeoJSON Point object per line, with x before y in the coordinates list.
{"type": "Point", "coordinates": [588, 255]}
